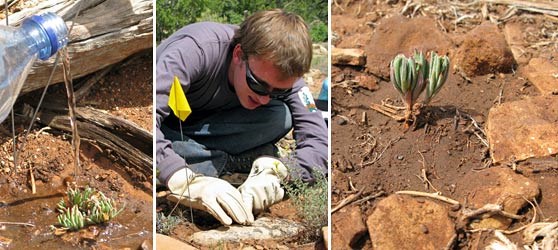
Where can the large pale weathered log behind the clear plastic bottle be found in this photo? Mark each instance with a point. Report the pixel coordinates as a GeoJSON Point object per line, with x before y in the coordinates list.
{"type": "Point", "coordinates": [104, 32]}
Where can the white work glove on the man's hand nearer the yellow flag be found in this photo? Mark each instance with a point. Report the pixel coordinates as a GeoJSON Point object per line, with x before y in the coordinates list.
{"type": "Point", "coordinates": [213, 195]}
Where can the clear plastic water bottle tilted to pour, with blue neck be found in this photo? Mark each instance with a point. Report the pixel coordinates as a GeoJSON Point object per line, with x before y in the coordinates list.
{"type": "Point", "coordinates": [39, 36]}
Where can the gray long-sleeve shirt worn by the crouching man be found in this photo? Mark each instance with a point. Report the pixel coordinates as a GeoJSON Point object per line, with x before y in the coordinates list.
{"type": "Point", "coordinates": [199, 55]}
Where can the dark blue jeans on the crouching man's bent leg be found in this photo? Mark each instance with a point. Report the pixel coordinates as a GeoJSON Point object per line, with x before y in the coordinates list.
{"type": "Point", "coordinates": [207, 143]}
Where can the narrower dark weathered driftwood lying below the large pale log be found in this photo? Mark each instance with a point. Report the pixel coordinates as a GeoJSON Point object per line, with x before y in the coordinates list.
{"type": "Point", "coordinates": [124, 141]}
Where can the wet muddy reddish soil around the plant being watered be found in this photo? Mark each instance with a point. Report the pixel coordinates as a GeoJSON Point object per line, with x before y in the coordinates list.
{"type": "Point", "coordinates": [126, 92]}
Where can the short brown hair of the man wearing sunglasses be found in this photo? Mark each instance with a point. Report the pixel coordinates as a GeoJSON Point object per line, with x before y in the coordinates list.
{"type": "Point", "coordinates": [278, 36]}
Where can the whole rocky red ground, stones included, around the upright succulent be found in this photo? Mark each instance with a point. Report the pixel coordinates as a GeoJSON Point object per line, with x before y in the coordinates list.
{"type": "Point", "coordinates": [485, 151]}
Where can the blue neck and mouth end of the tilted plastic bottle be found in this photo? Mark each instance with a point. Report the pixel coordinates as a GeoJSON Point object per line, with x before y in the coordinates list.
{"type": "Point", "coordinates": [55, 28]}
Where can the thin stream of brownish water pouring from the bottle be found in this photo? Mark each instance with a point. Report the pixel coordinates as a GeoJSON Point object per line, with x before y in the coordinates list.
{"type": "Point", "coordinates": [72, 107]}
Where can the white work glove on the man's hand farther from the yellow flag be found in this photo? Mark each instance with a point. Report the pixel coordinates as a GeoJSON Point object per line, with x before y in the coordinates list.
{"type": "Point", "coordinates": [263, 186]}
